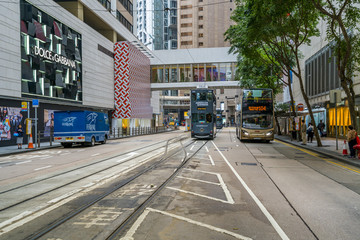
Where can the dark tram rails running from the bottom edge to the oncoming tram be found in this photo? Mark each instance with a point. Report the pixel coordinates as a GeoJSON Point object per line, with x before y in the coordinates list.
{"type": "Point", "coordinates": [125, 182]}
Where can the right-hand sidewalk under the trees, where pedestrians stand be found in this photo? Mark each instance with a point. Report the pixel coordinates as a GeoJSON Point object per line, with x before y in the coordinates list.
{"type": "Point", "coordinates": [328, 149]}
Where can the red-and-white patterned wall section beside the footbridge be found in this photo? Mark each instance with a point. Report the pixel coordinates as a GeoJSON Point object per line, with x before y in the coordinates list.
{"type": "Point", "coordinates": [132, 82]}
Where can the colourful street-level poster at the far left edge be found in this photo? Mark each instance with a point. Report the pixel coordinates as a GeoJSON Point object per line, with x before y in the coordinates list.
{"type": "Point", "coordinates": [10, 119]}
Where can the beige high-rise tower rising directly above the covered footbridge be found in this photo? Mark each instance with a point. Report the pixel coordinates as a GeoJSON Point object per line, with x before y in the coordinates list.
{"type": "Point", "coordinates": [202, 23]}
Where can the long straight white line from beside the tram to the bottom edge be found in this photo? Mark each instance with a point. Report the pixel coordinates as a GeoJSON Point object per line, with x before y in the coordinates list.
{"type": "Point", "coordinates": [257, 201]}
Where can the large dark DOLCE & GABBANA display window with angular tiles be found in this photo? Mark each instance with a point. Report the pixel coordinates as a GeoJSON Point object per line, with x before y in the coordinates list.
{"type": "Point", "coordinates": [51, 63]}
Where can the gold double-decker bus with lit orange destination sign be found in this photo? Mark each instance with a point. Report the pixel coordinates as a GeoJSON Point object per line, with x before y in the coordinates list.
{"type": "Point", "coordinates": [255, 121]}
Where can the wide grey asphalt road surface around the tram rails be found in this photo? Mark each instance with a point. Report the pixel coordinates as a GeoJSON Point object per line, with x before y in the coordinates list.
{"type": "Point", "coordinates": [227, 190]}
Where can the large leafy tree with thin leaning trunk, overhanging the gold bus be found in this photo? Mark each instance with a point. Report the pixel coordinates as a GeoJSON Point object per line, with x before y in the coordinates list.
{"type": "Point", "coordinates": [280, 28]}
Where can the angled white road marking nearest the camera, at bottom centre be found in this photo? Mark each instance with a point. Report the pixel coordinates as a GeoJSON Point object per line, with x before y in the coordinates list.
{"type": "Point", "coordinates": [129, 235]}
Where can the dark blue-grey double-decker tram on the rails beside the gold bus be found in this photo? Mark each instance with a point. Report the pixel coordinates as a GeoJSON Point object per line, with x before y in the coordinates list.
{"type": "Point", "coordinates": [203, 112]}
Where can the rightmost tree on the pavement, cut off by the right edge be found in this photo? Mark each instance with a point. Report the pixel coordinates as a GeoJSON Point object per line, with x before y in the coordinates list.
{"type": "Point", "coordinates": [342, 19]}
